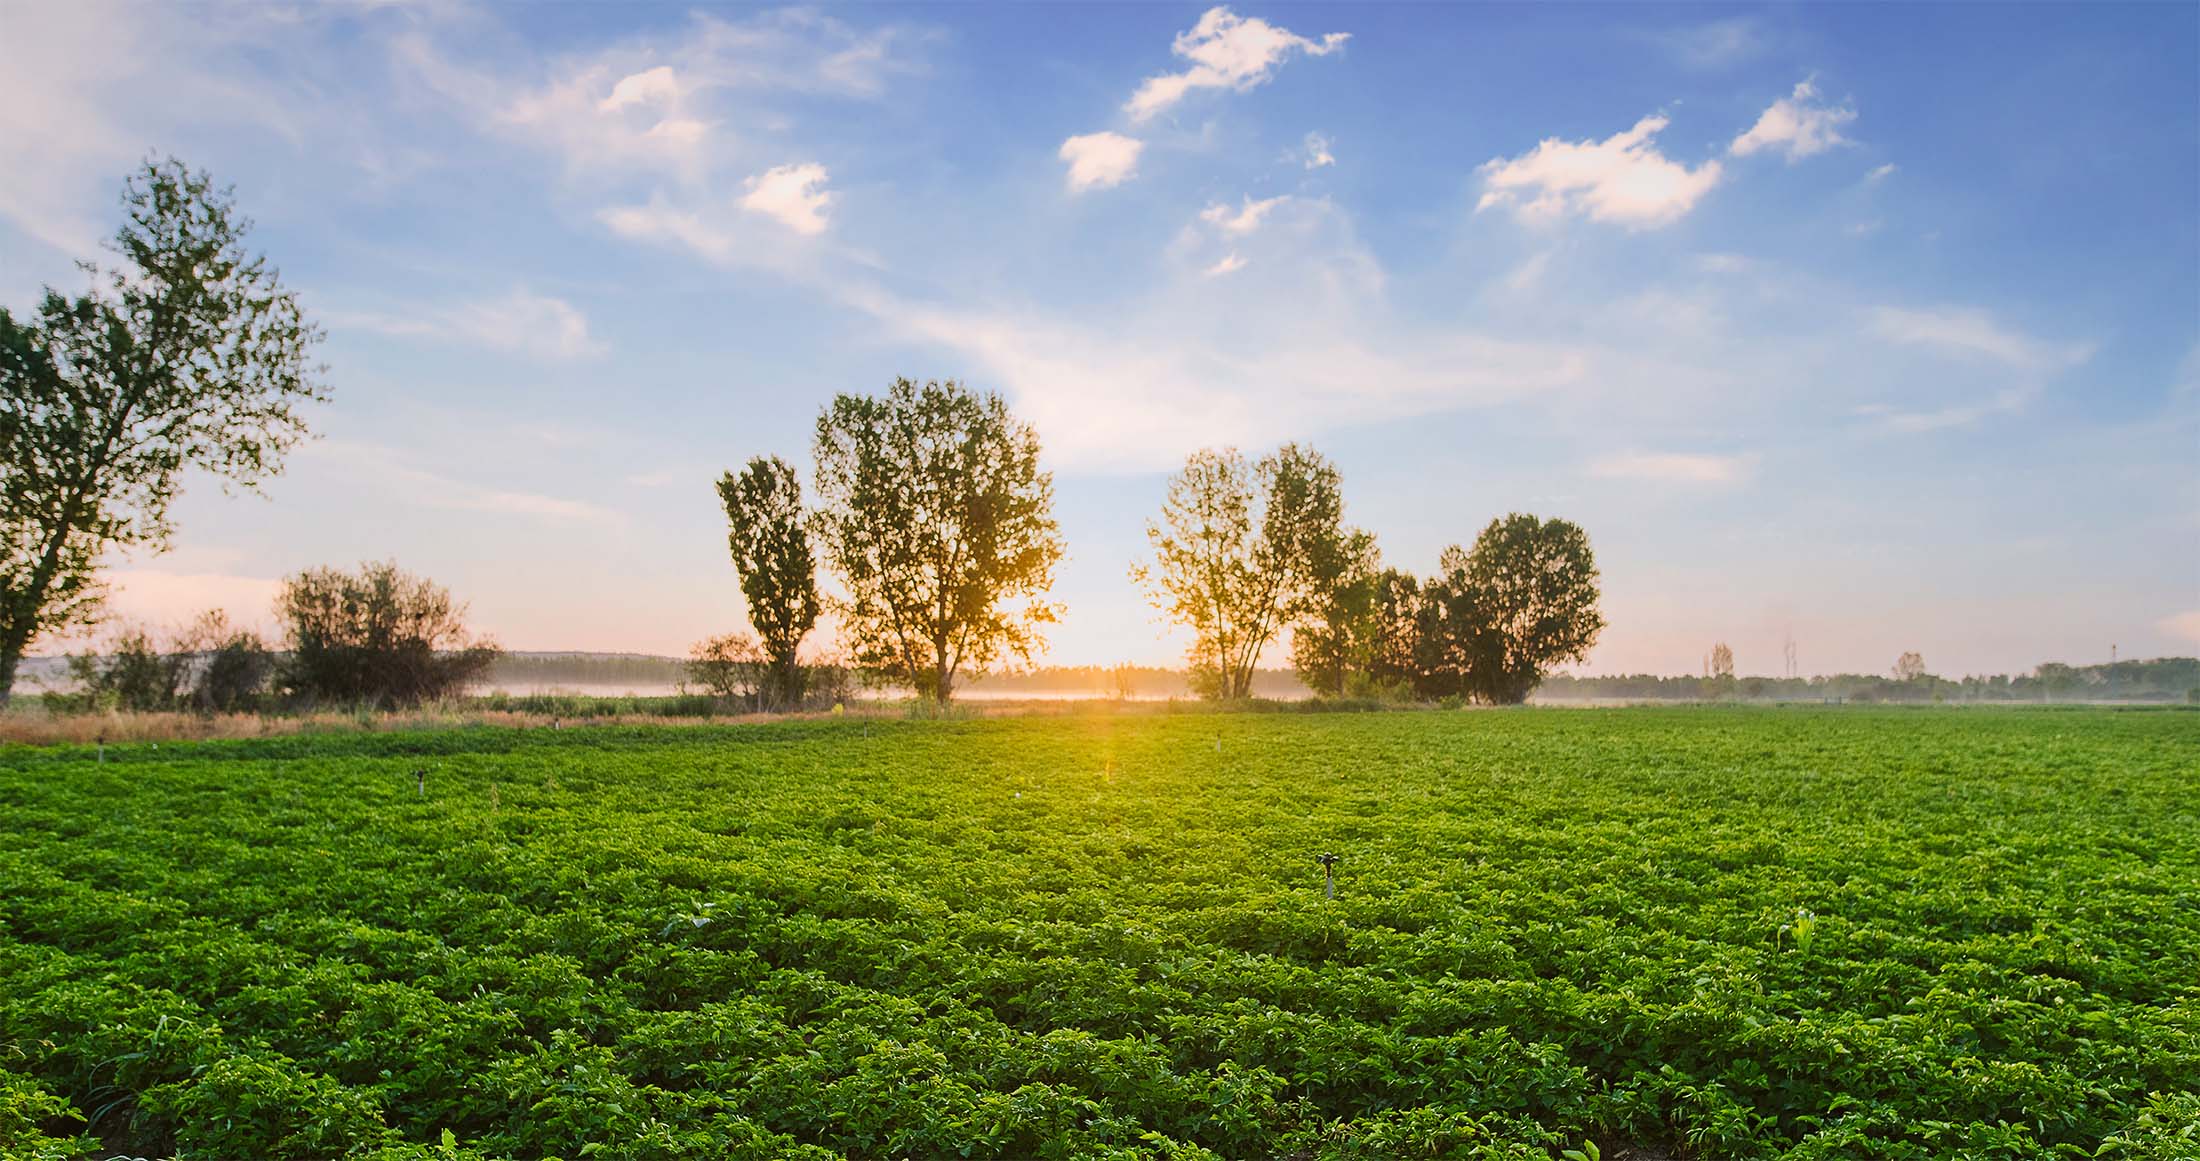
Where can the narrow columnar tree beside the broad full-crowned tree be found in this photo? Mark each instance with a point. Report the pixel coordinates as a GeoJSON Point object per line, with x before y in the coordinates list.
{"type": "Point", "coordinates": [771, 553]}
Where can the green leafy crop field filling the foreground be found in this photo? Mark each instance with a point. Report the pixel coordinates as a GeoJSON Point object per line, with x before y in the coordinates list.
{"type": "Point", "coordinates": [1640, 933]}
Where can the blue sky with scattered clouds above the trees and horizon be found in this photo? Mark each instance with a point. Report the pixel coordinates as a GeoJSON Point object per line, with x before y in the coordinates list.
{"type": "Point", "coordinates": [1869, 324]}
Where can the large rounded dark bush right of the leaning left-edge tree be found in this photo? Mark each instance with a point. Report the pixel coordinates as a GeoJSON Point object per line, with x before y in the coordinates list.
{"type": "Point", "coordinates": [377, 637]}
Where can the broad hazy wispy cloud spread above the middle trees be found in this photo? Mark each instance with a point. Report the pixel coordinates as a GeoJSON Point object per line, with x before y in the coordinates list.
{"type": "Point", "coordinates": [1207, 360]}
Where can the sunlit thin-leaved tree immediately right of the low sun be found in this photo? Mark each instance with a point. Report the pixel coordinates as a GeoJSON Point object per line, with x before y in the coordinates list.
{"type": "Point", "coordinates": [1237, 555]}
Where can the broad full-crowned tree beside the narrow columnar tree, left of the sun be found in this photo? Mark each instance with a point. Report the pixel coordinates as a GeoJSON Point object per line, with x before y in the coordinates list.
{"type": "Point", "coordinates": [940, 524]}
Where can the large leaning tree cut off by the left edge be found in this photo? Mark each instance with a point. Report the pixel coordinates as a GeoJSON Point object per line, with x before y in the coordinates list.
{"type": "Point", "coordinates": [184, 355]}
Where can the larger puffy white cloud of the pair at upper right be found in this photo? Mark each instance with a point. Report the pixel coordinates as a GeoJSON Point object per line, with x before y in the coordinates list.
{"type": "Point", "coordinates": [1620, 179]}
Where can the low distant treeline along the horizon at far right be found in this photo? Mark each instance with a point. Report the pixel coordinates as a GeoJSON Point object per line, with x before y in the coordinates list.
{"type": "Point", "coordinates": [2155, 681]}
